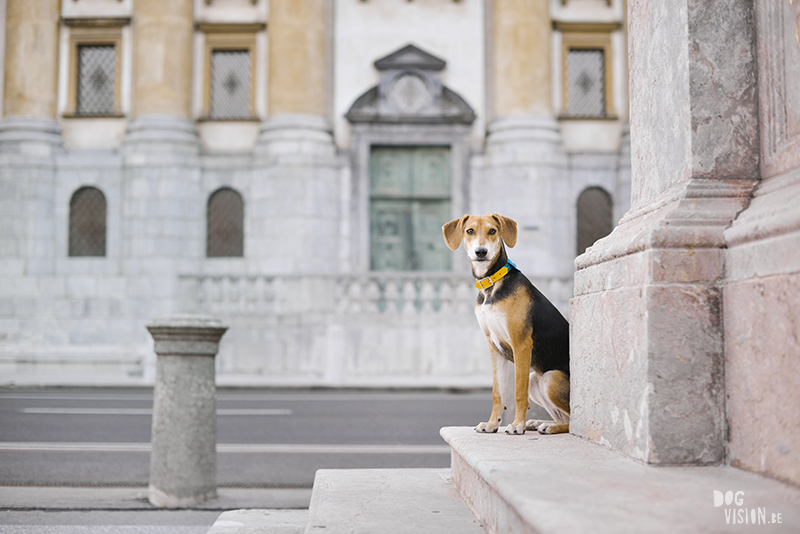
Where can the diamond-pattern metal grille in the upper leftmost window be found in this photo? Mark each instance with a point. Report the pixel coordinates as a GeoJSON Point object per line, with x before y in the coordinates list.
{"type": "Point", "coordinates": [97, 66]}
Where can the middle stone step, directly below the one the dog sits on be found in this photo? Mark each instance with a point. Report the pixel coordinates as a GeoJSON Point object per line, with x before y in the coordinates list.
{"type": "Point", "coordinates": [388, 501]}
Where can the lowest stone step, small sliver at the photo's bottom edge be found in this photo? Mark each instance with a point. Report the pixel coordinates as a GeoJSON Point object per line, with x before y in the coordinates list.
{"type": "Point", "coordinates": [261, 522]}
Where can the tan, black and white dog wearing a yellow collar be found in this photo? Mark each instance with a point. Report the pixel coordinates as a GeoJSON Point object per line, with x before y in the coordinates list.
{"type": "Point", "coordinates": [523, 329]}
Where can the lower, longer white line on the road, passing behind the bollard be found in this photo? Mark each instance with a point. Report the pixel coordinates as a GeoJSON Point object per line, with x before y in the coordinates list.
{"type": "Point", "coordinates": [232, 448]}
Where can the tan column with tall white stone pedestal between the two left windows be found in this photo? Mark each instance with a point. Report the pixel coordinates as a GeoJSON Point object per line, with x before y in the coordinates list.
{"type": "Point", "coordinates": [162, 197]}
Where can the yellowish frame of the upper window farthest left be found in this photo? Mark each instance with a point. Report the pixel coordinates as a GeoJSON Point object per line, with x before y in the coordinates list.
{"type": "Point", "coordinates": [106, 34]}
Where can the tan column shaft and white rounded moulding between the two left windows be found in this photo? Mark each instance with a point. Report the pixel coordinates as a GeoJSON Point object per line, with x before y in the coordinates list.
{"type": "Point", "coordinates": [162, 74]}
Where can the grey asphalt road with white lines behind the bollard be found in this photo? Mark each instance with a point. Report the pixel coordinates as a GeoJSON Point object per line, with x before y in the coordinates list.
{"type": "Point", "coordinates": [265, 438]}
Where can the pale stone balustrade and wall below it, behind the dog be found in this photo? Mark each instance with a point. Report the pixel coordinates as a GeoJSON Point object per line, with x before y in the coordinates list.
{"type": "Point", "coordinates": [374, 329]}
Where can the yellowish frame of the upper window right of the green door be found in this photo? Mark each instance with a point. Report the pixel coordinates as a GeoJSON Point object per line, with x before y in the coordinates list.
{"type": "Point", "coordinates": [587, 37]}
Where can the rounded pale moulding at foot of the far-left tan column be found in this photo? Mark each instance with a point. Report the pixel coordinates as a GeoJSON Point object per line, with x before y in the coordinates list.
{"type": "Point", "coordinates": [30, 136]}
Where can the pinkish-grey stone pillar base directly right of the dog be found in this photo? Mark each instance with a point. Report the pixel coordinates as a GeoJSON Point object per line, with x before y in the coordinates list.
{"type": "Point", "coordinates": [647, 372]}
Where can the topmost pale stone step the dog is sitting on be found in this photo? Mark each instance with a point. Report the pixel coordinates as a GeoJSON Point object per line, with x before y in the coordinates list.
{"type": "Point", "coordinates": [561, 483]}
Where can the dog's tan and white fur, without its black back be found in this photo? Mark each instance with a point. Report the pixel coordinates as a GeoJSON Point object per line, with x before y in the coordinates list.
{"type": "Point", "coordinates": [503, 328]}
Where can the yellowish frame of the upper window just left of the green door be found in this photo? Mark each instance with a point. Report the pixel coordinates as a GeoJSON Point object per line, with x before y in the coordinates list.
{"type": "Point", "coordinates": [222, 38]}
